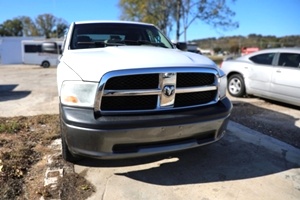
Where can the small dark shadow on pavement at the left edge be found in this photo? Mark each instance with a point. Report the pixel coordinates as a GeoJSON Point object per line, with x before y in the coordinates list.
{"type": "Point", "coordinates": [7, 93]}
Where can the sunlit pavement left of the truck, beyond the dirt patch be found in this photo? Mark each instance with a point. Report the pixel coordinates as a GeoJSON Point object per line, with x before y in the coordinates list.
{"type": "Point", "coordinates": [27, 90]}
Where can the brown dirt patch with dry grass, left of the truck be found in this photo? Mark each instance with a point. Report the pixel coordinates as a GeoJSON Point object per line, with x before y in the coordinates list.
{"type": "Point", "coordinates": [25, 144]}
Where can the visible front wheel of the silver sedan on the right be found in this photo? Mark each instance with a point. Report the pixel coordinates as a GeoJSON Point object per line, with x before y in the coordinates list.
{"type": "Point", "coordinates": [236, 85]}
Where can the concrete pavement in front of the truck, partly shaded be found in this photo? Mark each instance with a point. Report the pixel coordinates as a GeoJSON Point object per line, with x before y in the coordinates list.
{"type": "Point", "coordinates": [243, 165]}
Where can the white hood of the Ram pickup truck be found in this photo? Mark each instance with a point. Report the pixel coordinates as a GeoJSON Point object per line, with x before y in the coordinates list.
{"type": "Point", "coordinates": [91, 64]}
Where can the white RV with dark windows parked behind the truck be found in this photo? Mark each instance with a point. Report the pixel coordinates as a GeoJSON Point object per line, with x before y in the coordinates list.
{"type": "Point", "coordinates": [40, 52]}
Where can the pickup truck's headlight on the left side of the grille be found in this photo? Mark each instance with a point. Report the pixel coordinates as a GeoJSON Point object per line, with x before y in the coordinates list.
{"type": "Point", "coordinates": [78, 93]}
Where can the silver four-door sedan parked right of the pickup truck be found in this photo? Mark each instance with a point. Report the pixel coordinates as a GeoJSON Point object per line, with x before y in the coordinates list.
{"type": "Point", "coordinates": [270, 73]}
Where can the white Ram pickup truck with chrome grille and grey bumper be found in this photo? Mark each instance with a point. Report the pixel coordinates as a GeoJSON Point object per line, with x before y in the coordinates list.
{"type": "Point", "coordinates": [126, 91]}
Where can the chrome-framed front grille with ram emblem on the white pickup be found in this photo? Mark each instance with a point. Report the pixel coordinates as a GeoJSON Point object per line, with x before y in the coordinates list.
{"type": "Point", "coordinates": [153, 90]}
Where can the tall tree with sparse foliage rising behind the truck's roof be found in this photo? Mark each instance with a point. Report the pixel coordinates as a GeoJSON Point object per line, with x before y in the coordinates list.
{"type": "Point", "coordinates": [183, 12]}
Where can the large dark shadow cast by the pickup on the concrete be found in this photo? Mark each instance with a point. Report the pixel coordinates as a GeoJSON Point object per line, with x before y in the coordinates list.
{"type": "Point", "coordinates": [227, 160]}
